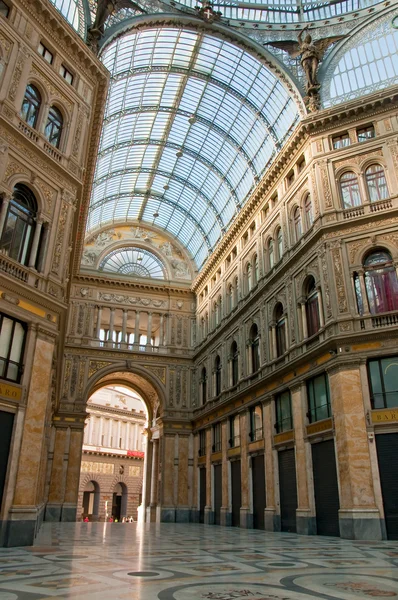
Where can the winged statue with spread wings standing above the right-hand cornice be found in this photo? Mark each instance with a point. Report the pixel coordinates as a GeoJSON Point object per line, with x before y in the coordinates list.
{"type": "Point", "coordinates": [311, 54]}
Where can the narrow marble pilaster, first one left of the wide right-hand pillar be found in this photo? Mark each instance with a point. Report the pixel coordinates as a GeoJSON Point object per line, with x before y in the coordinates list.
{"type": "Point", "coordinates": [305, 513]}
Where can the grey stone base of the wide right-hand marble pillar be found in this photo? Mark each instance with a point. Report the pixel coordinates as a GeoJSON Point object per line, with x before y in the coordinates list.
{"type": "Point", "coordinates": [366, 524]}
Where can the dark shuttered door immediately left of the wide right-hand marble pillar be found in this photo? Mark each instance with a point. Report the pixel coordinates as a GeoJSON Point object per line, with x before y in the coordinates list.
{"type": "Point", "coordinates": [326, 488]}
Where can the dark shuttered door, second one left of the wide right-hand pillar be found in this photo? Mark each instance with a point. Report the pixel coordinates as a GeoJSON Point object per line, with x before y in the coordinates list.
{"type": "Point", "coordinates": [287, 489]}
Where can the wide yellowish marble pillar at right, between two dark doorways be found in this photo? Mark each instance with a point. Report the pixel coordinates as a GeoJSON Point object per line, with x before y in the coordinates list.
{"type": "Point", "coordinates": [358, 515]}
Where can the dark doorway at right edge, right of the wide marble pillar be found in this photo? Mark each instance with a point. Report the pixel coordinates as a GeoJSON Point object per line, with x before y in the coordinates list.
{"type": "Point", "coordinates": [387, 453]}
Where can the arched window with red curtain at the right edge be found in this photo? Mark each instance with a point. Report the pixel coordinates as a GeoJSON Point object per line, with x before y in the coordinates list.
{"type": "Point", "coordinates": [381, 282]}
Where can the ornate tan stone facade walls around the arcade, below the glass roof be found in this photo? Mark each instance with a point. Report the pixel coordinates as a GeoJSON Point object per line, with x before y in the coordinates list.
{"type": "Point", "coordinates": [231, 357]}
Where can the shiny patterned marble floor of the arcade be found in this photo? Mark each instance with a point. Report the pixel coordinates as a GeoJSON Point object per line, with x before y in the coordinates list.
{"type": "Point", "coordinates": [114, 561]}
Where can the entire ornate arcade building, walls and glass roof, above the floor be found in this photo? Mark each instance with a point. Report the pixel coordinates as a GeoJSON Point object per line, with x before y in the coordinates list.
{"type": "Point", "coordinates": [199, 210]}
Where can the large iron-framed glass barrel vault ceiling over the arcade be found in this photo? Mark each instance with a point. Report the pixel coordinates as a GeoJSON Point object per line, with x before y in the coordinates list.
{"type": "Point", "coordinates": [191, 124]}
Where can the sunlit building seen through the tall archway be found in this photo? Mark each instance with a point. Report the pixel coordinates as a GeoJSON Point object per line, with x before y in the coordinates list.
{"type": "Point", "coordinates": [111, 471]}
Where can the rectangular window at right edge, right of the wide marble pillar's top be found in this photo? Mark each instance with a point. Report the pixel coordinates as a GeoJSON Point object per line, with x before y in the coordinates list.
{"type": "Point", "coordinates": [383, 382]}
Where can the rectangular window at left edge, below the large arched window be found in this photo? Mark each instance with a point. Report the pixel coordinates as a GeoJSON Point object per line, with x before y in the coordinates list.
{"type": "Point", "coordinates": [12, 343]}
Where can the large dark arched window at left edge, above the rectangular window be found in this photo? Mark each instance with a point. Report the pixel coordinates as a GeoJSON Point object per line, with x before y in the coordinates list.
{"type": "Point", "coordinates": [16, 239]}
